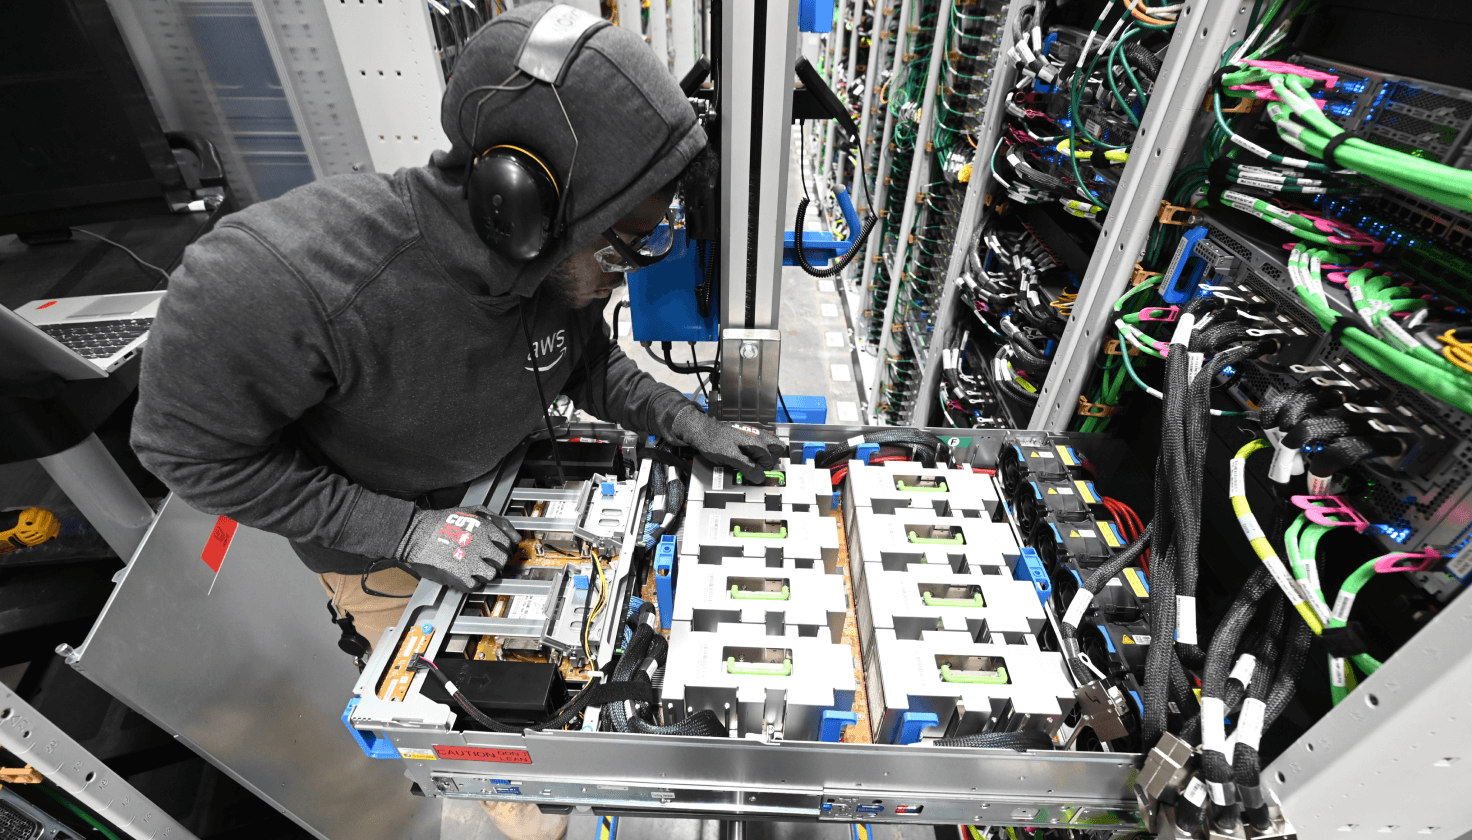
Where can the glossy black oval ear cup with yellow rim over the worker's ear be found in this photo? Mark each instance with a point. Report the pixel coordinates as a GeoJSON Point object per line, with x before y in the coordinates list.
{"type": "Point", "coordinates": [513, 204]}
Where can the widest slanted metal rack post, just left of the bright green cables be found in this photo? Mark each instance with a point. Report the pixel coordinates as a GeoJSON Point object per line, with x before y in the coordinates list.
{"type": "Point", "coordinates": [1202, 36]}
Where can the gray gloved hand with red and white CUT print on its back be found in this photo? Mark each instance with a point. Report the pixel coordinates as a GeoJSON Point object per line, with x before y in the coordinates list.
{"type": "Point", "coordinates": [460, 548]}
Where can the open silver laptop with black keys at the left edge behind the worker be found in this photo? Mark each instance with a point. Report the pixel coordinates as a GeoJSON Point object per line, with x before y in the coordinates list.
{"type": "Point", "coordinates": [76, 338]}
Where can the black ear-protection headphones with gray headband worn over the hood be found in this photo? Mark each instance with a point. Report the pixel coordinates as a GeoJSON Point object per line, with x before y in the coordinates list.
{"type": "Point", "coordinates": [516, 202]}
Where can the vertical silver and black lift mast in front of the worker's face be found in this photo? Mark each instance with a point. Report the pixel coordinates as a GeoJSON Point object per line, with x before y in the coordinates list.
{"type": "Point", "coordinates": [759, 51]}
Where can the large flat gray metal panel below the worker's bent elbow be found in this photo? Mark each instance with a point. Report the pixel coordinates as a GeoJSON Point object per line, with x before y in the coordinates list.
{"type": "Point", "coordinates": [245, 670]}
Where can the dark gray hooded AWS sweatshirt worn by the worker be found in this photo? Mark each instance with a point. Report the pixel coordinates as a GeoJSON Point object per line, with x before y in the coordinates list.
{"type": "Point", "coordinates": [325, 358]}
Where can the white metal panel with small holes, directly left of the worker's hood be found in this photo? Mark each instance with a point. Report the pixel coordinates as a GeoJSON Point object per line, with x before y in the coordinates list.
{"type": "Point", "coordinates": [388, 54]}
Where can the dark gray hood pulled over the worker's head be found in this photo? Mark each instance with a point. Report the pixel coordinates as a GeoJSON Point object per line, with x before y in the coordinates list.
{"type": "Point", "coordinates": [637, 133]}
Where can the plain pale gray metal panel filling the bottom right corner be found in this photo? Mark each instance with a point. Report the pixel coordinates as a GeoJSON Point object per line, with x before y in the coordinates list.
{"type": "Point", "coordinates": [1396, 757]}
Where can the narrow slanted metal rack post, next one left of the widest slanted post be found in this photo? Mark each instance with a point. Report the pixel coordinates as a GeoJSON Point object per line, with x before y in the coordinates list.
{"type": "Point", "coordinates": [991, 126]}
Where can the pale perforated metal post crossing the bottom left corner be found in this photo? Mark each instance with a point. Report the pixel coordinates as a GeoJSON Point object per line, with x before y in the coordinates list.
{"type": "Point", "coordinates": [80, 775]}
